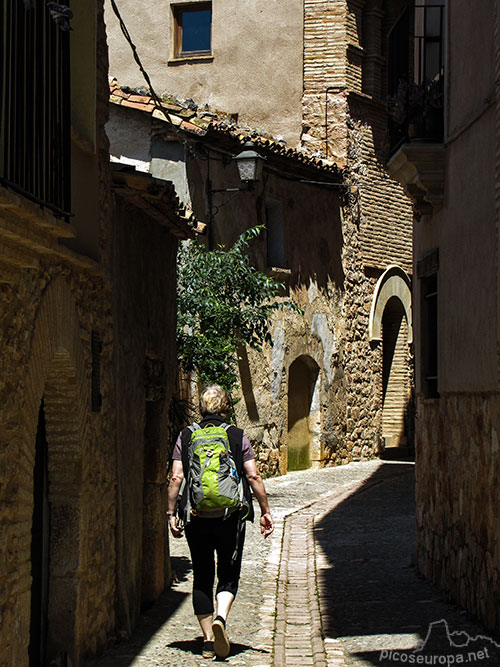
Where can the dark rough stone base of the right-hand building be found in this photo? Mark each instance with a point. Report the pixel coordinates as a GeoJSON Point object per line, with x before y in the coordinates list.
{"type": "Point", "coordinates": [458, 495]}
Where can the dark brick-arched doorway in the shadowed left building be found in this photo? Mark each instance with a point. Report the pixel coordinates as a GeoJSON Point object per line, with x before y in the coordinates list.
{"type": "Point", "coordinates": [55, 412]}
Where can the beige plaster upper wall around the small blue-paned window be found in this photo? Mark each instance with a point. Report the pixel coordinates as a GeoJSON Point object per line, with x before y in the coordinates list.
{"type": "Point", "coordinates": [256, 70]}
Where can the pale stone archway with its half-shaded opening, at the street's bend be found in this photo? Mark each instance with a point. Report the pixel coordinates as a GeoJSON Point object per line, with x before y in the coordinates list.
{"type": "Point", "coordinates": [390, 324]}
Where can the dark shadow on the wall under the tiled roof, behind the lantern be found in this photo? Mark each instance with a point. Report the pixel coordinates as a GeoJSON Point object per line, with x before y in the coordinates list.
{"type": "Point", "coordinates": [308, 227]}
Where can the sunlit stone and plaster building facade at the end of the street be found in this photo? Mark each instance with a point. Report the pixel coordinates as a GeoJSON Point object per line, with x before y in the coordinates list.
{"type": "Point", "coordinates": [353, 347]}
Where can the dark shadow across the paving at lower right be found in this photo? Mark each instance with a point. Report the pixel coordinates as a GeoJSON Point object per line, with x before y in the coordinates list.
{"type": "Point", "coordinates": [372, 595]}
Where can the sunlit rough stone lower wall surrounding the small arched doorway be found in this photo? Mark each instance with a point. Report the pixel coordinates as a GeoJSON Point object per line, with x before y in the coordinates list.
{"type": "Point", "coordinates": [346, 407]}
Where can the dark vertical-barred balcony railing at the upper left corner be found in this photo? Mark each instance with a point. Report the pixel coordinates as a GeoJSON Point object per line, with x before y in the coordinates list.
{"type": "Point", "coordinates": [35, 104]}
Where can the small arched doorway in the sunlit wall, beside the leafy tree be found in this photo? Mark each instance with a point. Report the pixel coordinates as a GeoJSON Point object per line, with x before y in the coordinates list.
{"type": "Point", "coordinates": [302, 388]}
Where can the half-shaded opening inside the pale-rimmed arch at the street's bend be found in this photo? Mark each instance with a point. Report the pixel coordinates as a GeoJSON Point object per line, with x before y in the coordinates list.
{"type": "Point", "coordinates": [395, 392]}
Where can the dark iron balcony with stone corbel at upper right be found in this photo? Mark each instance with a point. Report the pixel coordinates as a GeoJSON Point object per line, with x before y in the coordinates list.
{"type": "Point", "coordinates": [416, 103]}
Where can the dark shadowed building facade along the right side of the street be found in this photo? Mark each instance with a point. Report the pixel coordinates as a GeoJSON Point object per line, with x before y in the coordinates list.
{"type": "Point", "coordinates": [452, 175]}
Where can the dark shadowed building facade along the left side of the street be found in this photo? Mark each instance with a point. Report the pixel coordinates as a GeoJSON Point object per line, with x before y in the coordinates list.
{"type": "Point", "coordinates": [65, 358]}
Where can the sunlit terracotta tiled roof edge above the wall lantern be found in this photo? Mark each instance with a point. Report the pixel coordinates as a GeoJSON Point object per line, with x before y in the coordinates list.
{"type": "Point", "coordinates": [203, 122]}
